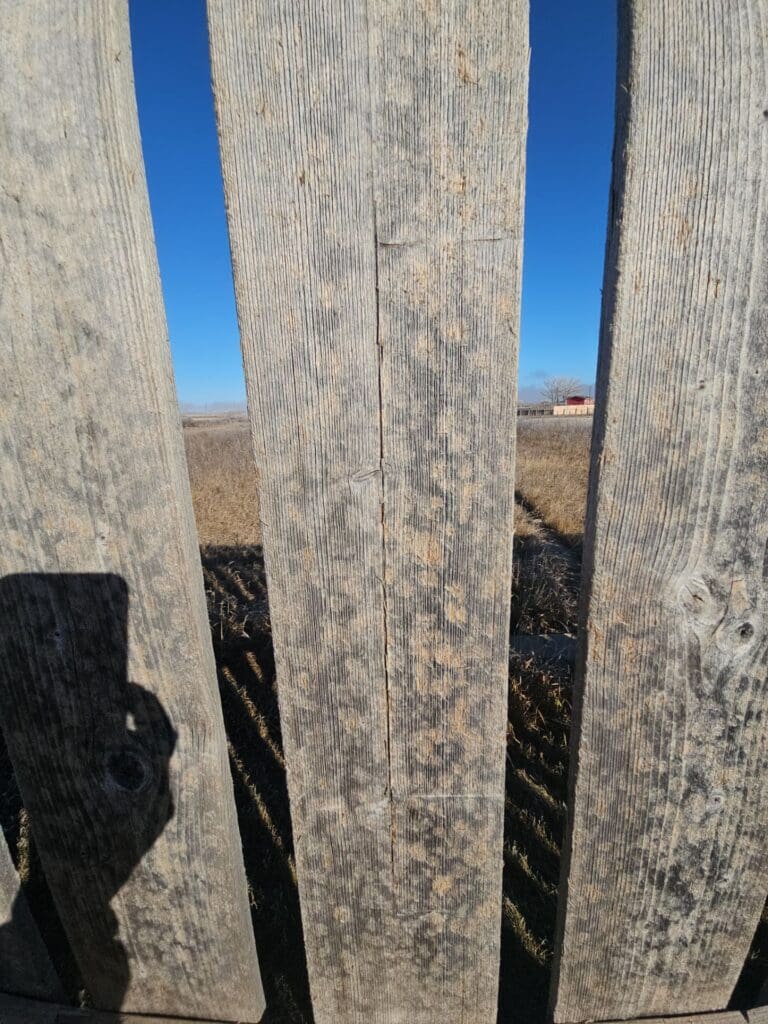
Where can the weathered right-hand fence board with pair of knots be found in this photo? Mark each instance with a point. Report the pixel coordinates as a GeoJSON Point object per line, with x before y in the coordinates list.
{"type": "Point", "coordinates": [667, 869]}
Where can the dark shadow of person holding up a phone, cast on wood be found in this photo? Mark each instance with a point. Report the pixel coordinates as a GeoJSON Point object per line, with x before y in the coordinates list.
{"type": "Point", "coordinates": [92, 751]}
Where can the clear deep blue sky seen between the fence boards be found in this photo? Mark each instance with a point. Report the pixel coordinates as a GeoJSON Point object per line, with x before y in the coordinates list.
{"type": "Point", "coordinates": [570, 144]}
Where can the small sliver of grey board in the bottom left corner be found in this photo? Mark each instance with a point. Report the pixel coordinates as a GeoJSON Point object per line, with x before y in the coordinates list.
{"type": "Point", "coordinates": [25, 965]}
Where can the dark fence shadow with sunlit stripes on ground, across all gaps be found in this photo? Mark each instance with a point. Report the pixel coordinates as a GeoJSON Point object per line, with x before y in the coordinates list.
{"type": "Point", "coordinates": [544, 608]}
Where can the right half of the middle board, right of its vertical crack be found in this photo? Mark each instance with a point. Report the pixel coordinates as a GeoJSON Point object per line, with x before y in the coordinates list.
{"type": "Point", "coordinates": [449, 84]}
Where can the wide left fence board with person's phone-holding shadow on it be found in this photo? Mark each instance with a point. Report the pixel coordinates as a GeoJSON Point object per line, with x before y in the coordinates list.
{"type": "Point", "coordinates": [108, 688]}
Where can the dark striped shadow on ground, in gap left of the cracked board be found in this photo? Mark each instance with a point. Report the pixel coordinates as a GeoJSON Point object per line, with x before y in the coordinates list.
{"type": "Point", "coordinates": [236, 588]}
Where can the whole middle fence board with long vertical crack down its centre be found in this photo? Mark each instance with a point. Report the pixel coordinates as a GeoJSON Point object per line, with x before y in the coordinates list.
{"type": "Point", "coordinates": [373, 167]}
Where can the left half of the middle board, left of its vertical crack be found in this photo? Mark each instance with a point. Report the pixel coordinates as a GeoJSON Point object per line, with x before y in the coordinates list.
{"type": "Point", "coordinates": [291, 88]}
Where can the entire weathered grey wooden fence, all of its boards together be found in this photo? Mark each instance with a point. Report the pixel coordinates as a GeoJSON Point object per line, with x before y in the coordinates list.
{"type": "Point", "coordinates": [374, 165]}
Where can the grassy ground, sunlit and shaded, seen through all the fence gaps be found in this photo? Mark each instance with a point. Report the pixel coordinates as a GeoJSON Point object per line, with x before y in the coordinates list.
{"type": "Point", "coordinates": [552, 475]}
